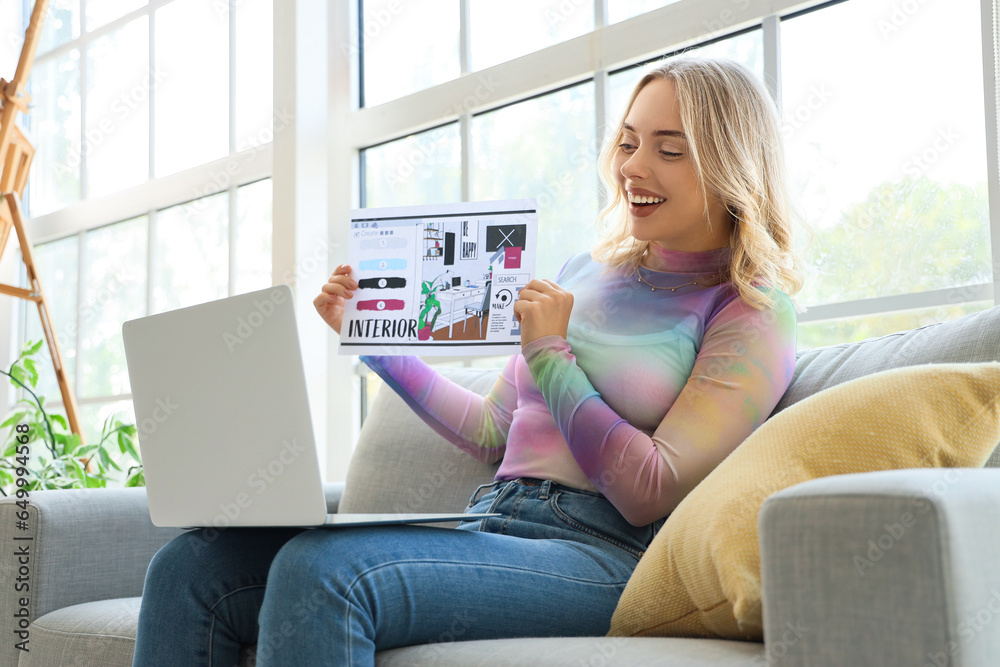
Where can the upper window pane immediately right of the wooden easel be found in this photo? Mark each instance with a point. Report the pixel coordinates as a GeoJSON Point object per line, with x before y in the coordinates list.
{"type": "Point", "coordinates": [55, 133]}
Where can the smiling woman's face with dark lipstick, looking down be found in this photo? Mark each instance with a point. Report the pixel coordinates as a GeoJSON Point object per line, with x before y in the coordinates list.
{"type": "Point", "coordinates": [654, 170]}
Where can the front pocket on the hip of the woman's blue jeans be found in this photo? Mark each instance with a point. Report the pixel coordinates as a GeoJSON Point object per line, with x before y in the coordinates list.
{"type": "Point", "coordinates": [594, 515]}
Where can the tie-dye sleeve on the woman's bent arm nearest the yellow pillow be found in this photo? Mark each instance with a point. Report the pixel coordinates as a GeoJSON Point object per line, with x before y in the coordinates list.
{"type": "Point", "coordinates": [742, 368]}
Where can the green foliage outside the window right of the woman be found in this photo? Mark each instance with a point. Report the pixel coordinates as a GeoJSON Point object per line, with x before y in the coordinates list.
{"type": "Point", "coordinates": [910, 236]}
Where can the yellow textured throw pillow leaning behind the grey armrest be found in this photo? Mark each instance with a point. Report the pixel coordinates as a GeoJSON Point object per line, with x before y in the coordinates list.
{"type": "Point", "coordinates": [700, 576]}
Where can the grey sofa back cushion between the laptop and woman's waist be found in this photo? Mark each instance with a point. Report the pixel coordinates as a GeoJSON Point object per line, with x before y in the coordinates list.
{"type": "Point", "coordinates": [401, 465]}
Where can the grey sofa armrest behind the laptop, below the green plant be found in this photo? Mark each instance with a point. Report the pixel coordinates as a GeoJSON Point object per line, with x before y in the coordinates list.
{"type": "Point", "coordinates": [81, 546]}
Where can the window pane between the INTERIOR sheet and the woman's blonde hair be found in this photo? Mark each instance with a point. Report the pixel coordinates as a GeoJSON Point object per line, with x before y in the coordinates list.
{"type": "Point", "coordinates": [544, 149]}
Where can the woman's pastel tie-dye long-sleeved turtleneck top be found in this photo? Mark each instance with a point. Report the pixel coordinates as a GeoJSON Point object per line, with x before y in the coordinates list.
{"type": "Point", "coordinates": [651, 389]}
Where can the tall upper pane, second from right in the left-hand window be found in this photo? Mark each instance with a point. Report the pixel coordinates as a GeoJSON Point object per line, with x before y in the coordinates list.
{"type": "Point", "coordinates": [192, 89]}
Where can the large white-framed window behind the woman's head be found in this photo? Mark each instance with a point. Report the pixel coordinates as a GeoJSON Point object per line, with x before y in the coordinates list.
{"type": "Point", "coordinates": [885, 138]}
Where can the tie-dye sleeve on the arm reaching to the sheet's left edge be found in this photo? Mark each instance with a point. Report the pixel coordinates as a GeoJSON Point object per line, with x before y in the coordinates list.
{"type": "Point", "coordinates": [475, 424]}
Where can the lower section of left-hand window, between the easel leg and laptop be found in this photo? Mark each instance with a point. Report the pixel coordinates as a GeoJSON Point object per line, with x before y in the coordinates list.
{"type": "Point", "coordinates": [99, 278]}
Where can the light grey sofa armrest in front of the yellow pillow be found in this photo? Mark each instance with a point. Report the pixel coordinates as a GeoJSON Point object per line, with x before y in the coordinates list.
{"type": "Point", "coordinates": [887, 568]}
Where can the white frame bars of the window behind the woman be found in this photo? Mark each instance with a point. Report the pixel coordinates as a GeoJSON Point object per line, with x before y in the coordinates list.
{"type": "Point", "coordinates": [644, 38]}
